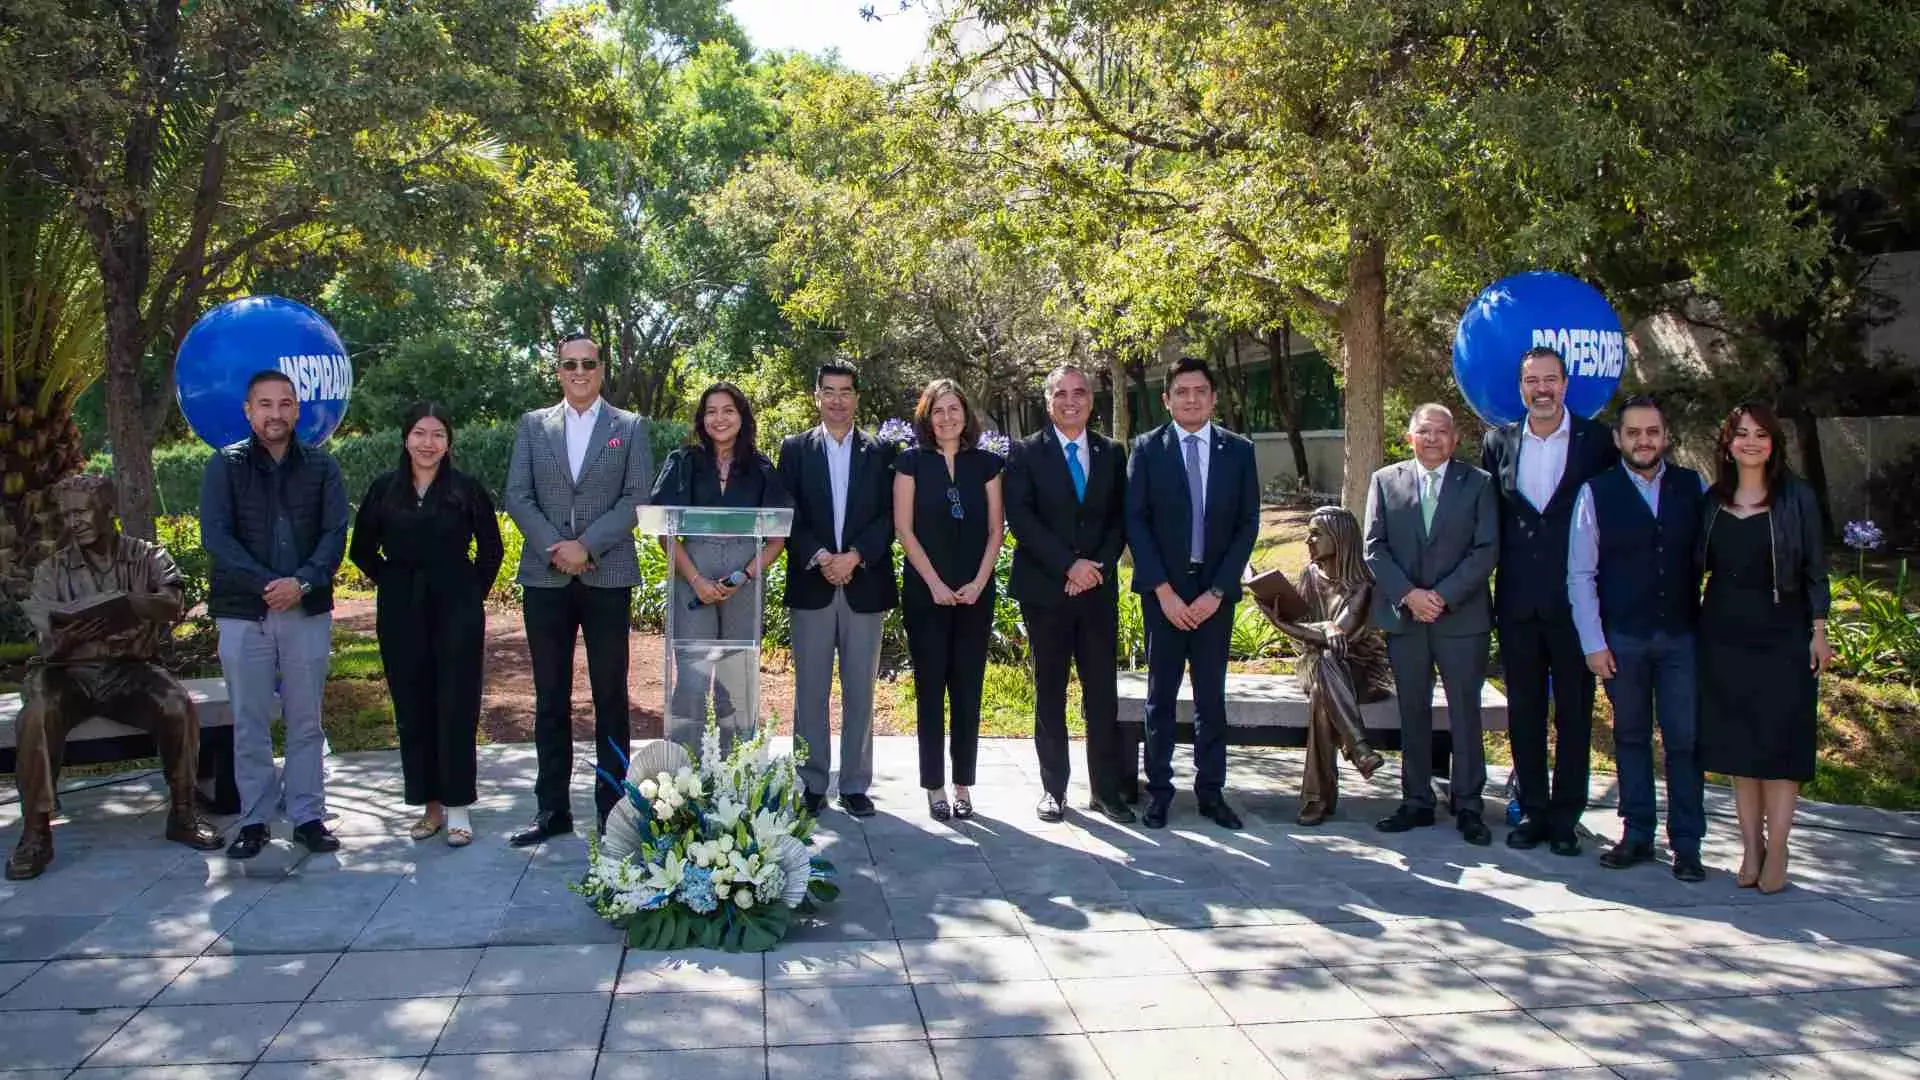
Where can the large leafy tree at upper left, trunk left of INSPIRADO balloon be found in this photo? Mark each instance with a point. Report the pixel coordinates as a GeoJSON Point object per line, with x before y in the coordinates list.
{"type": "Point", "coordinates": [197, 137]}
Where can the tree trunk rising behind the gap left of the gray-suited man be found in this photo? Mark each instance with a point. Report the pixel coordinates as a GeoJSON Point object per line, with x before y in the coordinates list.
{"type": "Point", "coordinates": [1364, 358]}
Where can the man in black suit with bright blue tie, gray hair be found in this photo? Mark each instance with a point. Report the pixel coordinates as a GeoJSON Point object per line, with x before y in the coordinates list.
{"type": "Point", "coordinates": [1067, 504]}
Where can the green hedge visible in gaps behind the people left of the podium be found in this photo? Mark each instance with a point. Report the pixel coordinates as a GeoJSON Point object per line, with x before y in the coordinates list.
{"type": "Point", "coordinates": [481, 451]}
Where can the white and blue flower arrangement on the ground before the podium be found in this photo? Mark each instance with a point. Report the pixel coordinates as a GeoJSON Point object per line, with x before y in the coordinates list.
{"type": "Point", "coordinates": [709, 854]}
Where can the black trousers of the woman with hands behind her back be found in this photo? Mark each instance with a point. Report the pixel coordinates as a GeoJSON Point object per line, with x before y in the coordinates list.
{"type": "Point", "coordinates": [433, 645]}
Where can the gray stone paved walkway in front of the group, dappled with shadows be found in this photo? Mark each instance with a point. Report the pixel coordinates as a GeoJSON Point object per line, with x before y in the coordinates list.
{"type": "Point", "coordinates": [994, 950]}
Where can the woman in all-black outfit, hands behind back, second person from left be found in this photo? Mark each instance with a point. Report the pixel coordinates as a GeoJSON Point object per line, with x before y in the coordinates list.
{"type": "Point", "coordinates": [429, 541]}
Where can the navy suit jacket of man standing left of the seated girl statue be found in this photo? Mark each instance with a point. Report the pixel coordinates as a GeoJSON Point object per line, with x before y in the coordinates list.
{"type": "Point", "coordinates": [1161, 514]}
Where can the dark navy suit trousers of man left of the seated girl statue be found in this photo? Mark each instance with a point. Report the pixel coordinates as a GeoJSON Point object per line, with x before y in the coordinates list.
{"type": "Point", "coordinates": [1170, 656]}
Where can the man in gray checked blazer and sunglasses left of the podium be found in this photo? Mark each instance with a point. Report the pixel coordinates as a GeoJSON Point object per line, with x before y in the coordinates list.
{"type": "Point", "coordinates": [579, 470]}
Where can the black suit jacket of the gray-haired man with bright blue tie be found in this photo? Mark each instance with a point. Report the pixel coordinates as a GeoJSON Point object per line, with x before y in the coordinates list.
{"type": "Point", "coordinates": [1053, 528]}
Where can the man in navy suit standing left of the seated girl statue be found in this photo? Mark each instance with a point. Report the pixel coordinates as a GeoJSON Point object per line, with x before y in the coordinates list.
{"type": "Point", "coordinates": [1193, 514]}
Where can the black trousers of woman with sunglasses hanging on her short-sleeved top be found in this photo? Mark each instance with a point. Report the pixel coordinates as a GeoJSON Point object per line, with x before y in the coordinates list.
{"type": "Point", "coordinates": [949, 652]}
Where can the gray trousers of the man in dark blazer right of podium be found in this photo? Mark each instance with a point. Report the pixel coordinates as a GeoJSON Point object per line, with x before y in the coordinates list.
{"type": "Point", "coordinates": [817, 637]}
